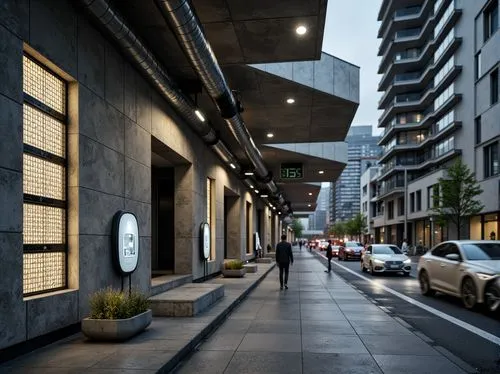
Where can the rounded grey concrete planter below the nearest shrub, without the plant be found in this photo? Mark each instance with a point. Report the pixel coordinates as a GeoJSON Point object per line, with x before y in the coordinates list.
{"type": "Point", "coordinates": [116, 329]}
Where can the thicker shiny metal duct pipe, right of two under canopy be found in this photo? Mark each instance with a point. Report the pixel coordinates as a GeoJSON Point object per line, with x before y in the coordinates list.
{"type": "Point", "coordinates": [186, 27]}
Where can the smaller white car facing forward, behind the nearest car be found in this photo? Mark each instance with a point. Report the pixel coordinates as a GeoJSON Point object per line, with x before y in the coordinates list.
{"type": "Point", "coordinates": [385, 258]}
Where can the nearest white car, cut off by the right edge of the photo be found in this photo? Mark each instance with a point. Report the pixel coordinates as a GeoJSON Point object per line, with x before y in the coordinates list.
{"type": "Point", "coordinates": [462, 268]}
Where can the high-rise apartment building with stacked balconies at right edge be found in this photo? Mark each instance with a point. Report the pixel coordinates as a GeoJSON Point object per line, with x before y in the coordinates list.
{"type": "Point", "coordinates": [439, 66]}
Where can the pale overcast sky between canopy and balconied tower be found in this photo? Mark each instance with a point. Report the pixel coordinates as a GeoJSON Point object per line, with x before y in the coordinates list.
{"type": "Point", "coordinates": [351, 34]}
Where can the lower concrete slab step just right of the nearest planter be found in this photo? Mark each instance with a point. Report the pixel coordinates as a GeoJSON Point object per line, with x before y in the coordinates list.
{"type": "Point", "coordinates": [187, 300]}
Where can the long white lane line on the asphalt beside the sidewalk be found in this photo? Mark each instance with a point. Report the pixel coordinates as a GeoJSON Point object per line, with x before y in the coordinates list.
{"type": "Point", "coordinates": [483, 334]}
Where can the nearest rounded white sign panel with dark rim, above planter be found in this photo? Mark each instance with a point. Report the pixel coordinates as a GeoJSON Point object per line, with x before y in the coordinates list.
{"type": "Point", "coordinates": [125, 242]}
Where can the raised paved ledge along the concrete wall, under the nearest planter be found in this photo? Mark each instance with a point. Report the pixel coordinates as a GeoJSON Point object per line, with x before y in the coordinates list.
{"type": "Point", "coordinates": [158, 349]}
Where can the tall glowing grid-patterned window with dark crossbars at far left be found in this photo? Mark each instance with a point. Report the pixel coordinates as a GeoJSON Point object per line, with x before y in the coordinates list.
{"type": "Point", "coordinates": [44, 179]}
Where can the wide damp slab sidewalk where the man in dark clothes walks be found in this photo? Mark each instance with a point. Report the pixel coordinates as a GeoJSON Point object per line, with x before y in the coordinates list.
{"type": "Point", "coordinates": [320, 325]}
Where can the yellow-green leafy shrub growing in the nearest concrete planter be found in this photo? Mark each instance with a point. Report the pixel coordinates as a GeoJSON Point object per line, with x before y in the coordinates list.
{"type": "Point", "coordinates": [113, 304]}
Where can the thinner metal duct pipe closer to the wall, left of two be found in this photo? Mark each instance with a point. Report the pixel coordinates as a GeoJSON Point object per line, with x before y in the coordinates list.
{"type": "Point", "coordinates": [143, 59]}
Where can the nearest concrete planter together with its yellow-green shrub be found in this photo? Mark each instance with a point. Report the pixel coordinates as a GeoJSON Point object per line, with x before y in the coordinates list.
{"type": "Point", "coordinates": [115, 315]}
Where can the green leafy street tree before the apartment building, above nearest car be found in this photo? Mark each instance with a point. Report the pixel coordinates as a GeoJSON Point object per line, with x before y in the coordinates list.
{"type": "Point", "coordinates": [456, 197]}
